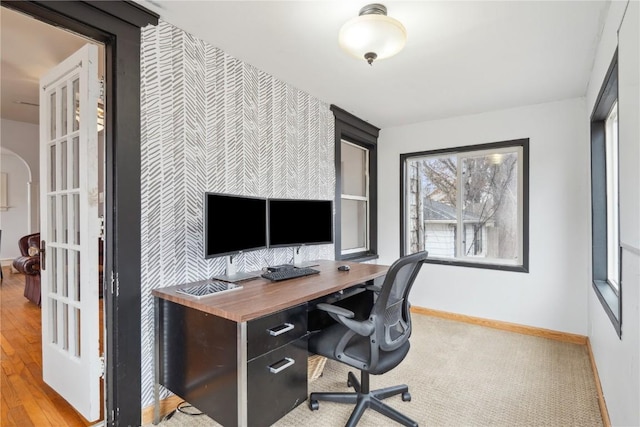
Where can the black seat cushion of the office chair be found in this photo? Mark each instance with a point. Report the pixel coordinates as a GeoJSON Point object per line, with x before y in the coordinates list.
{"type": "Point", "coordinates": [325, 342]}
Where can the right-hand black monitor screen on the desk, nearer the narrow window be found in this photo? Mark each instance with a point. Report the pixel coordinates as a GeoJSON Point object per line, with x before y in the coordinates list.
{"type": "Point", "coordinates": [300, 222]}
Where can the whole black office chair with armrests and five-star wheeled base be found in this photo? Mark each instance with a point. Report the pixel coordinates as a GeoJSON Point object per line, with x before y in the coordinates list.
{"type": "Point", "coordinates": [374, 345]}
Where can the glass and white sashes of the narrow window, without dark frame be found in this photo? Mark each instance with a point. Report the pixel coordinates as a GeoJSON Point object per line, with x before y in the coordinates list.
{"type": "Point", "coordinates": [354, 170]}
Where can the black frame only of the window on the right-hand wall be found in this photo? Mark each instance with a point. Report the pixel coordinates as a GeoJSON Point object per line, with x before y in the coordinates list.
{"type": "Point", "coordinates": [609, 297]}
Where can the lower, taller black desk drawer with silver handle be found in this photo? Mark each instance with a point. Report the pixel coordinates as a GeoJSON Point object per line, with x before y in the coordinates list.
{"type": "Point", "coordinates": [276, 383]}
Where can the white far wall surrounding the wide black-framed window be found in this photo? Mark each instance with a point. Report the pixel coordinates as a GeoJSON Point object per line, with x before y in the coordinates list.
{"type": "Point", "coordinates": [553, 294]}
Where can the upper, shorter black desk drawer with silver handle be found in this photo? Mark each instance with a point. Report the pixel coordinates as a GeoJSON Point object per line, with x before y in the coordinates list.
{"type": "Point", "coordinates": [275, 330]}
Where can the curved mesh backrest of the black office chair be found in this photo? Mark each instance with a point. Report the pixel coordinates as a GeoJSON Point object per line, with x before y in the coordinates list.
{"type": "Point", "coordinates": [390, 313]}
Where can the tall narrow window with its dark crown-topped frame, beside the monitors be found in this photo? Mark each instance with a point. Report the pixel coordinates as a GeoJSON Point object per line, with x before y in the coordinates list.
{"type": "Point", "coordinates": [356, 187]}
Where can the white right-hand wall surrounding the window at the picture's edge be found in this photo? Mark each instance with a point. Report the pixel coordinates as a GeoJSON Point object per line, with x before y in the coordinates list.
{"type": "Point", "coordinates": [618, 359]}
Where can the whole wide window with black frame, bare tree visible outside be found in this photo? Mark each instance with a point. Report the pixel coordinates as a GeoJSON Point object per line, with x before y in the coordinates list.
{"type": "Point", "coordinates": [467, 206]}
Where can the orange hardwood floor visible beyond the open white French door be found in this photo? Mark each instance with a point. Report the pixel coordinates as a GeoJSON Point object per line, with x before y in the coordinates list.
{"type": "Point", "coordinates": [26, 399]}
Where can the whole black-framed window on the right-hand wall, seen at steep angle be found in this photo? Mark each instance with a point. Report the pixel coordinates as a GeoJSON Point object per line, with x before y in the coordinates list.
{"type": "Point", "coordinates": [605, 228]}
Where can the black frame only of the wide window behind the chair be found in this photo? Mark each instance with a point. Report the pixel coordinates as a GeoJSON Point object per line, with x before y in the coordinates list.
{"type": "Point", "coordinates": [522, 142]}
